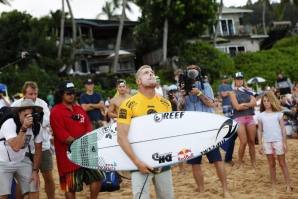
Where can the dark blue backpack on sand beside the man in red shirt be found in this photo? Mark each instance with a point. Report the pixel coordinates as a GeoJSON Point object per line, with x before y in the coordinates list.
{"type": "Point", "coordinates": [111, 182]}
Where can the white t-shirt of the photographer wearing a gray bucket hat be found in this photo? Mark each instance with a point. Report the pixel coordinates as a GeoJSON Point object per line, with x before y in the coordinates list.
{"type": "Point", "coordinates": [7, 131]}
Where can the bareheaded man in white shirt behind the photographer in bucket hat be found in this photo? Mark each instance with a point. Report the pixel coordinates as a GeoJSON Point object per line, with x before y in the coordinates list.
{"type": "Point", "coordinates": [30, 91]}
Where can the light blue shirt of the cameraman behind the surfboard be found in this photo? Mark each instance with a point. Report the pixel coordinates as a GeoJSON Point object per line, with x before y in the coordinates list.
{"type": "Point", "coordinates": [194, 103]}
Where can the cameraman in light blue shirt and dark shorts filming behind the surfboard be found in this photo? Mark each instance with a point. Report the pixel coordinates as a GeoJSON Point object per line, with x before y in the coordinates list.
{"type": "Point", "coordinates": [200, 98]}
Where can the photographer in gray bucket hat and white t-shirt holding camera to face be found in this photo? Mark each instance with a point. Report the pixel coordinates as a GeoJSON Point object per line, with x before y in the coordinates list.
{"type": "Point", "coordinates": [16, 134]}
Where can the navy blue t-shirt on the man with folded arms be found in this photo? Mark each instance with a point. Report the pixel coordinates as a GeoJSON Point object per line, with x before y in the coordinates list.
{"type": "Point", "coordinates": [95, 98]}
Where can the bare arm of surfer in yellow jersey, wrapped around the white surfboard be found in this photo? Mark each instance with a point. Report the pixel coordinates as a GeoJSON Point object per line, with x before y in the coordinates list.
{"type": "Point", "coordinates": [122, 132]}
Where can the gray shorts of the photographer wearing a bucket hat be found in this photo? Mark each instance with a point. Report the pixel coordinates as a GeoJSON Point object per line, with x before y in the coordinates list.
{"type": "Point", "coordinates": [21, 171]}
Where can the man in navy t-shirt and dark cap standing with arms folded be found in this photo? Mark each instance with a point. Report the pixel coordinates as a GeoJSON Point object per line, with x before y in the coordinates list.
{"type": "Point", "coordinates": [92, 102]}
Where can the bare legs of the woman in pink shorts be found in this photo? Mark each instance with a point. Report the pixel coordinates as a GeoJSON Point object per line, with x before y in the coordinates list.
{"type": "Point", "coordinates": [246, 136]}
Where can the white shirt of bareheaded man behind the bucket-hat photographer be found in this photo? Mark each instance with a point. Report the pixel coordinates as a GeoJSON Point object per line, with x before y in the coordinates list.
{"type": "Point", "coordinates": [46, 144]}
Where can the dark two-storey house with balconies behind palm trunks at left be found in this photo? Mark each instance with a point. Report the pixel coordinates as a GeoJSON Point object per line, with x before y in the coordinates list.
{"type": "Point", "coordinates": [99, 40]}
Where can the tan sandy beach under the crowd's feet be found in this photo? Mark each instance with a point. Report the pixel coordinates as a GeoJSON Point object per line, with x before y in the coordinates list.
{"type": "Point", "coordinates": [243, 183]}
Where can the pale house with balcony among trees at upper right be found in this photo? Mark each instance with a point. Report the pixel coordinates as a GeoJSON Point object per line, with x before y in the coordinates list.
{"type": "Point", "coordinates": [233, 35]}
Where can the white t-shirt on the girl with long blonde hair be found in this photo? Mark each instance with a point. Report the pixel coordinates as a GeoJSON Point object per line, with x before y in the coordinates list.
{"type": "Point", "coordinates": [271, 126]}
